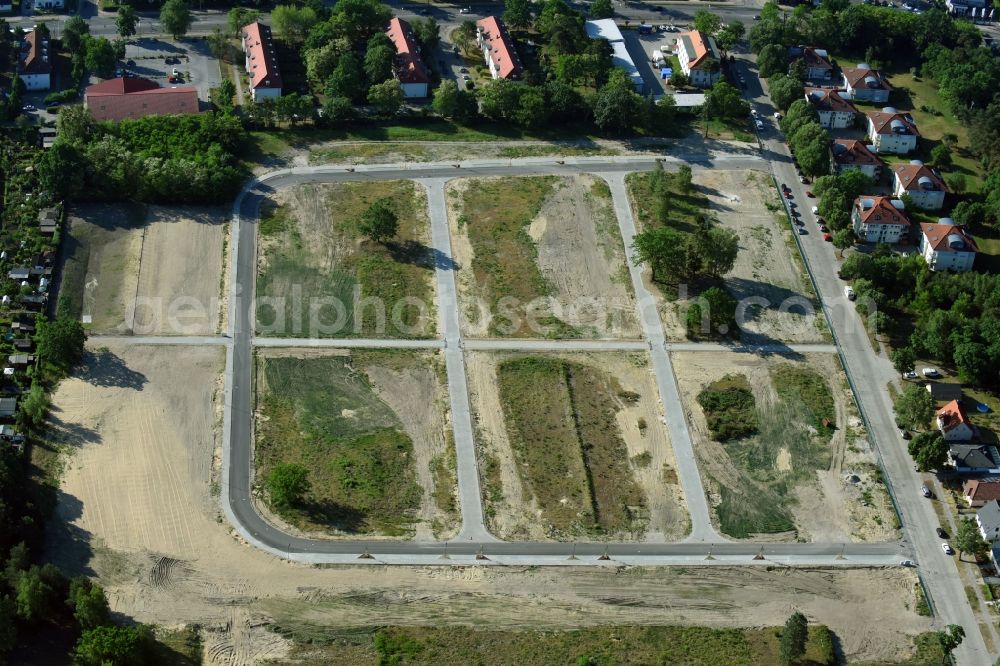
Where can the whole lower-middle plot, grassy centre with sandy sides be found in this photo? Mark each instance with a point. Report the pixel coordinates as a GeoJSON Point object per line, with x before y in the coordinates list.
{"type": "Point", "coordinates": [573, 445]}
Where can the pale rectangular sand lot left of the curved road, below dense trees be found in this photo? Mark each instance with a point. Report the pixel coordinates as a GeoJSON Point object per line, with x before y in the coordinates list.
{"type": "Point", "coordinates": [181, 271]}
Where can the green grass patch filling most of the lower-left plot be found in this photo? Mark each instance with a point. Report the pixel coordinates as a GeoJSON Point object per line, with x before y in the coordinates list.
{"type": "Point", "coordinates": [322, 413]}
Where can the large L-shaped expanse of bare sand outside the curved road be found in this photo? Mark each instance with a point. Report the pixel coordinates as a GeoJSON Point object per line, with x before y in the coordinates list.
{"type": "Point", "coordinates": [139, 514]}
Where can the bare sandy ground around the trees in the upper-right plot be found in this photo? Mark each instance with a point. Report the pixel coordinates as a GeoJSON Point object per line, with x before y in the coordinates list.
{"type": "Point", "coordinates": [767, 279]}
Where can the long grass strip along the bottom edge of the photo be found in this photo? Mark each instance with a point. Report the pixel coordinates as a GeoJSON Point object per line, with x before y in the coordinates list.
{"type": "Point", "coordinates": [597, 646]}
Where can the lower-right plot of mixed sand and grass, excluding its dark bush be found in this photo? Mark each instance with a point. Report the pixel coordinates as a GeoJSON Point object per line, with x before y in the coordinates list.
{"type": "Point", "coordinates": [793, 478]}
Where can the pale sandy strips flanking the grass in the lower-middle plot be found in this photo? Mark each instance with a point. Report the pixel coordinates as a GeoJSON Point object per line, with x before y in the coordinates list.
{"type": "Point", "coordinates": [514, 515]}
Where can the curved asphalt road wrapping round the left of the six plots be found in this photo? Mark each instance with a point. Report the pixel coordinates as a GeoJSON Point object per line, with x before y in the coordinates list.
{"type": "Point", "coordinates": [476, 543]}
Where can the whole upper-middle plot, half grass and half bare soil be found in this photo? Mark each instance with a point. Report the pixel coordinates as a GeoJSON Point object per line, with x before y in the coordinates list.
{"type": "Point", "coordinates": [540, 257]}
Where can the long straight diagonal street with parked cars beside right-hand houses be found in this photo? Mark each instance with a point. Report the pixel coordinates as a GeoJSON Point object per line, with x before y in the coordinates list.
{"type": "Point", "coordinates": [871, 373]}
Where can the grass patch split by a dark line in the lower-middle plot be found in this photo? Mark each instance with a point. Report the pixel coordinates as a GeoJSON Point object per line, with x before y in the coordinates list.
{"type": "Point", "coordinates": [561, 419]}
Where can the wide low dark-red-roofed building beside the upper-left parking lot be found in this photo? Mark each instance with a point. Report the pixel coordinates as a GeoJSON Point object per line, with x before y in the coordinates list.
{"type": "Point", "coordinates": [124, 98]}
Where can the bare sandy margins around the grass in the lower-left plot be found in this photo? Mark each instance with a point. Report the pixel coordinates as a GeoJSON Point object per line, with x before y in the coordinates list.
{"type": "Point", "coordinates": [419, 398]}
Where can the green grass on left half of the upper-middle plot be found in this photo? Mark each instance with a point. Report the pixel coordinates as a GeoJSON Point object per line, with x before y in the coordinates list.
{"type": "Point", "coordinates": [496, 214]}
